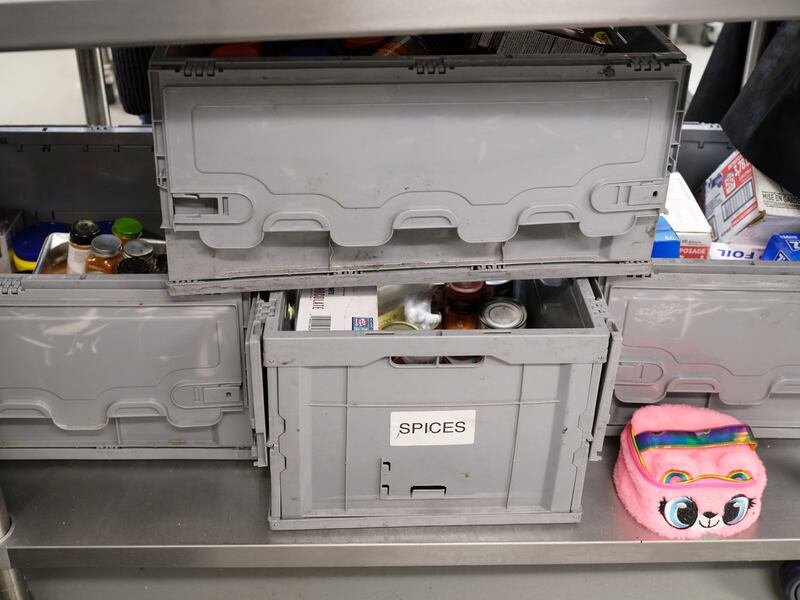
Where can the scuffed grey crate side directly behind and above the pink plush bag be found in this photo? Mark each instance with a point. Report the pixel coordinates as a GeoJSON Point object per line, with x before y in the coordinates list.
{"type": "Point", "coordinates": [716, 334]}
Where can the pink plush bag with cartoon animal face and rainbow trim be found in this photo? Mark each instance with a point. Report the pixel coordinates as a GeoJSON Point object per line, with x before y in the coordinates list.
{"type": "Point", "coordinates": [684, 472]}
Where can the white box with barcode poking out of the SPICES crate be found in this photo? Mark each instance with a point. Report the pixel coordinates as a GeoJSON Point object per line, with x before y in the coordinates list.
{"type": "Point", "coordinates": [338, 309]}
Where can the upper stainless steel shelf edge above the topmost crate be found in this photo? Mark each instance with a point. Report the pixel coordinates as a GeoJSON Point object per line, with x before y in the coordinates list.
{"type": "Point", "coordinates": [28, 24]}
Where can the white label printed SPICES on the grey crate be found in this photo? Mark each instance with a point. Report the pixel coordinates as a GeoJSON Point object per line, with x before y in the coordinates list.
{"type": "Point", "coordinates": [432, 428]}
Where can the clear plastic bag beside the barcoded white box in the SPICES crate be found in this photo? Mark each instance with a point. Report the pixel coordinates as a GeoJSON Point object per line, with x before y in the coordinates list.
{"type": "Point", "coordinates": [411, 304]}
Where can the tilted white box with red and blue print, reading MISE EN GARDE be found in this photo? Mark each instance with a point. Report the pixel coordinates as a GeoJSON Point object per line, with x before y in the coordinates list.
{"type": "Point", "coordinates": [742, 203]}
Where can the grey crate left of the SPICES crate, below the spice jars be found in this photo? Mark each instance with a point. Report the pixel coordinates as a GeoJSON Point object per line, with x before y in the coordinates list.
{"type": "Point", "coordinates": [113, 367]}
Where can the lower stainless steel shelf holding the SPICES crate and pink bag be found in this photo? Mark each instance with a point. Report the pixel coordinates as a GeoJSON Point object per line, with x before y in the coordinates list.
{"type": "Point", "coordinates": [213, 514]}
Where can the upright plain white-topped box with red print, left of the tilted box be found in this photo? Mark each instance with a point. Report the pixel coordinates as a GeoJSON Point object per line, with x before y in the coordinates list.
{"type": "Point", "coordinates": [686, 218]}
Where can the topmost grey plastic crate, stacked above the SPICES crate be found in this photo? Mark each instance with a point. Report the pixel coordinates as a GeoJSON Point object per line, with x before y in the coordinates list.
{"type": "Point", "coordinates": [281, 173]}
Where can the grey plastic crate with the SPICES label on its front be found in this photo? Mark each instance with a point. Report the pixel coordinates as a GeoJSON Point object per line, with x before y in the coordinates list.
{"type": "Point", "coordinates": [337, 401]}
